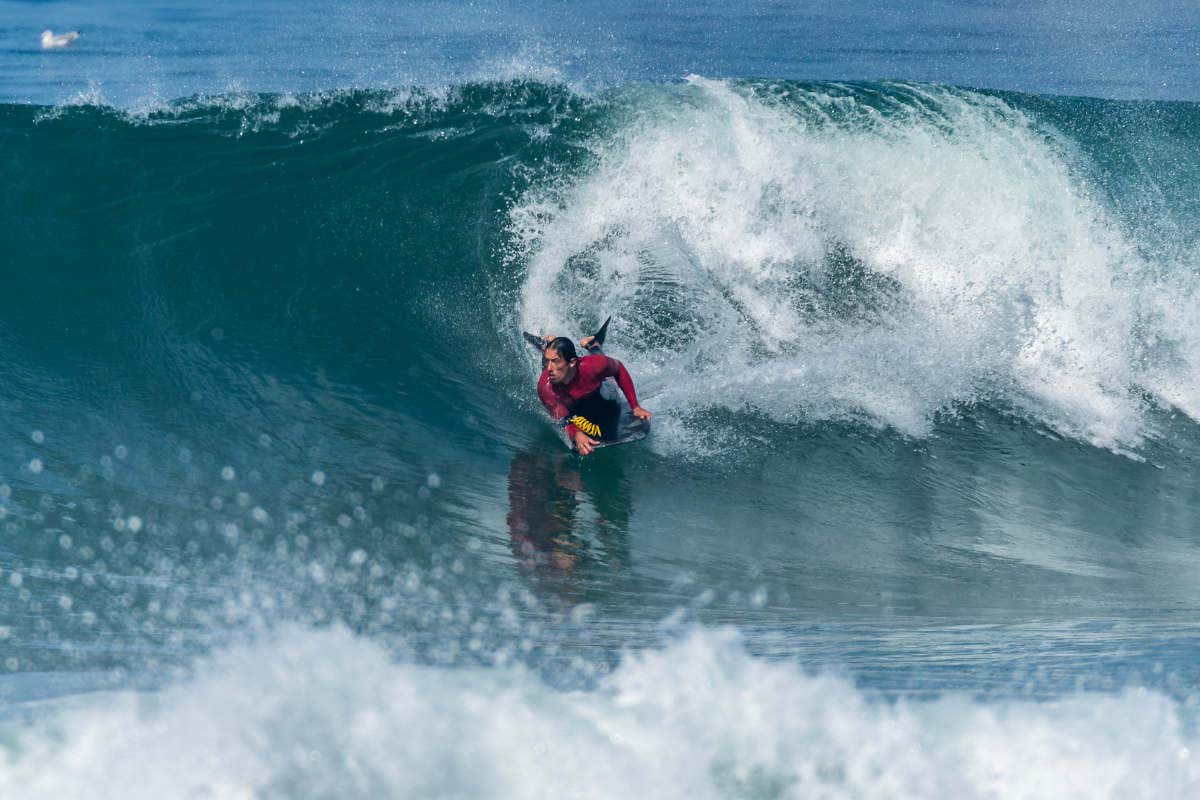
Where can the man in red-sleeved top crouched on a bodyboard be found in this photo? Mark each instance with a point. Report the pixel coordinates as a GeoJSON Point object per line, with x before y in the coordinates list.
{"type": "Point", "coordinates": [569, 388]}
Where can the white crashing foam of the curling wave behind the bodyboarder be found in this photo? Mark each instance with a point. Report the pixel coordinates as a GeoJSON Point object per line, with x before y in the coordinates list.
{"type": "Point", "coordinates": [988, 270]}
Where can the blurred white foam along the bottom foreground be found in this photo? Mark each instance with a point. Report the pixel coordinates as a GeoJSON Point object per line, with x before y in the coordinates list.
{"type": "Point", "coordinates": [319, 714]}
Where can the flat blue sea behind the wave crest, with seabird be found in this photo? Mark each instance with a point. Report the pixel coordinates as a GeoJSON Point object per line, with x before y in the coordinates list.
{"type": "Point", "coordinates": [134, 55]}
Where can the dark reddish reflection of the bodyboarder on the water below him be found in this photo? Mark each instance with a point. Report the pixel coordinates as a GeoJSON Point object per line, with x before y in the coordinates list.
{"type": "Point", "coordinates": [566, 518]}
